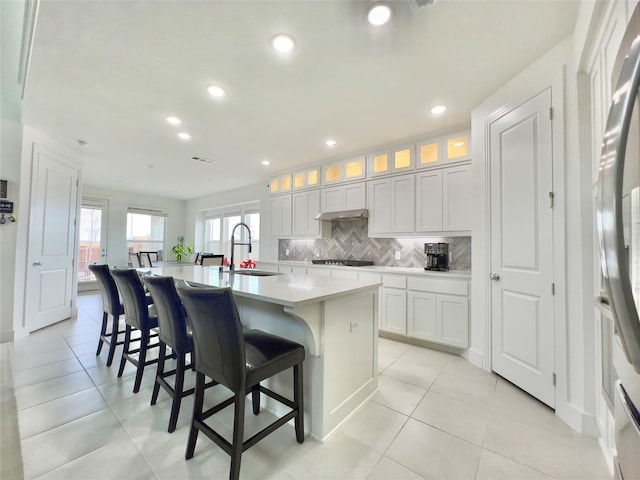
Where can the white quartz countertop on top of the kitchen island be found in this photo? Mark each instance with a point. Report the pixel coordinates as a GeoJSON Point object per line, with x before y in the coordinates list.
{"type": "Point", "coordinates": [285, 289]}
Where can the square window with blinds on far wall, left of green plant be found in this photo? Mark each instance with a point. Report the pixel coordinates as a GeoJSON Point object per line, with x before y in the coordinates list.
{"type": "Point", "coordinates": [145, 230]}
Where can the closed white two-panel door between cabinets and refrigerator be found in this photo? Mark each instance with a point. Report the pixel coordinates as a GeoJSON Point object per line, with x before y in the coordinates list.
{"type": "Point", "coordinates": [522, 247]}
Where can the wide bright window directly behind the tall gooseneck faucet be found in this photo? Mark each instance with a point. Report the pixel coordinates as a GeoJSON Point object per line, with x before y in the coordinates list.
{"type": "Point", "coordinates": [218, 227]}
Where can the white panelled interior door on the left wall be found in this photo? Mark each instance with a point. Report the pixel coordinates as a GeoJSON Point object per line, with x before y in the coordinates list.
{"type": "Point", "coordinates": [51, 240]}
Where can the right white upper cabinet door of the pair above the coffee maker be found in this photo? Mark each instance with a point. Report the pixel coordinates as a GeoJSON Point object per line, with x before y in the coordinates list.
{"type": "Point", "coordinates": [456, 198]}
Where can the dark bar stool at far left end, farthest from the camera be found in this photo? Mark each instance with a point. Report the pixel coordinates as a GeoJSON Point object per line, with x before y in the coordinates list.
{"type": "Point", "coordinates": [111, 305]}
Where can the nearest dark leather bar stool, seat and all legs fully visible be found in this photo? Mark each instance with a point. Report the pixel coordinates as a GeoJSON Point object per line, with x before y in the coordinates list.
{"type": "Point", "coordinates": [239, 361]}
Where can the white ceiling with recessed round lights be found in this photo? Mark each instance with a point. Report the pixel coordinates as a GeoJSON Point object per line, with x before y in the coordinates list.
{"type": "Point", "coordinates": [109, 72]}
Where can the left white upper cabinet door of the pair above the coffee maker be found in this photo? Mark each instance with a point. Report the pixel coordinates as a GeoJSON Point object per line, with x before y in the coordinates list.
{"type": "Point", "coordinates": [429, 201]}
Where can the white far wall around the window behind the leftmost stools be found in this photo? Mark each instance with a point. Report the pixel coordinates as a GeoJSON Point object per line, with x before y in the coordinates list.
{"type": "Point", "coordinates": [119, 202]}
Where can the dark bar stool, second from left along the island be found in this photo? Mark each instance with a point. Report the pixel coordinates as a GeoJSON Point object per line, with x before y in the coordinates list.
{"type": "Point", "coordinates": [138, 315]}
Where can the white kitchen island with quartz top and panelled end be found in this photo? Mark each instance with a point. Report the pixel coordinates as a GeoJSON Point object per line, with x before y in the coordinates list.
{"type": "Point", "coordinates": [335, 319]}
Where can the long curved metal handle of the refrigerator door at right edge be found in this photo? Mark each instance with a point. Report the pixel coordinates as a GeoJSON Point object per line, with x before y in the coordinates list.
{"type": "Point", "coordinates": [615, 266]}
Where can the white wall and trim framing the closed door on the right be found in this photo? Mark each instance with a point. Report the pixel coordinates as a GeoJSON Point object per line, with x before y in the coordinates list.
{"type": "Point", "coordinates": [572, 263]}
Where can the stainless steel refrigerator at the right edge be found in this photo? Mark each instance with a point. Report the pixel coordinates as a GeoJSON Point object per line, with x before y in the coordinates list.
{"type": "Point", "coordinates": [618, 219]}
